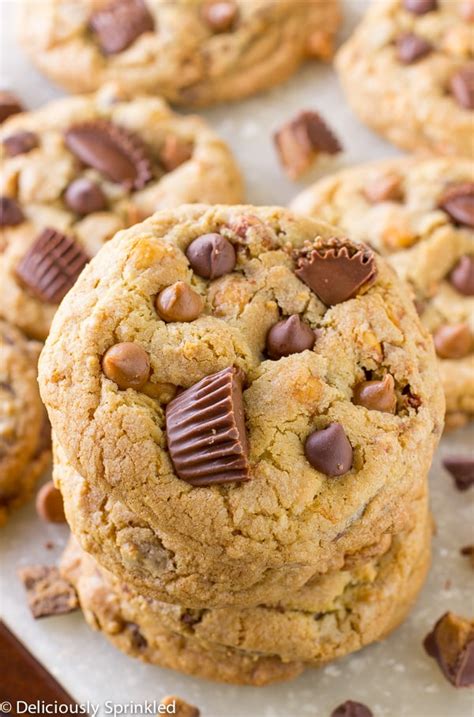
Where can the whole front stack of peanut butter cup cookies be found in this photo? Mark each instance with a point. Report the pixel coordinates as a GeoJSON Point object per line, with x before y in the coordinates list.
{"type": "Point", "coordinates": [245, 407]}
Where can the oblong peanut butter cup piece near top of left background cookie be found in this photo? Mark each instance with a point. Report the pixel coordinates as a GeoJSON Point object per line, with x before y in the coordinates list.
{"type": "Point", "coordinates": [115, 152]}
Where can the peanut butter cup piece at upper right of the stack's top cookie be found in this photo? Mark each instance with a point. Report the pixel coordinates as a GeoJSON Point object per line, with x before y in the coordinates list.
{"type": "Point", "coordinates": [337, 270]}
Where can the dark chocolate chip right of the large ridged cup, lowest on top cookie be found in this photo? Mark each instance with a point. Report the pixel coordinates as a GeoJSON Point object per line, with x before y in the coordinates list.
{"type": "Point", "coordinates": [329, 451]}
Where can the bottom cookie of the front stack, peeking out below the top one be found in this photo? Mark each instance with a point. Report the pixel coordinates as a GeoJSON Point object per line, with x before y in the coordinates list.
{"type": "Point", "coordinates": [336, 615]}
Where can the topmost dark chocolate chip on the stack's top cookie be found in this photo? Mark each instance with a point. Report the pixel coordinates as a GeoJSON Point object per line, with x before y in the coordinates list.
{"type": "Point", "coordinates": [211, 256]}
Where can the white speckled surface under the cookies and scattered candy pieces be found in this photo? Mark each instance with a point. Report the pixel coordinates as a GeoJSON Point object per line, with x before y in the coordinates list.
{"type": "Point", "coordinates": [394, 678]}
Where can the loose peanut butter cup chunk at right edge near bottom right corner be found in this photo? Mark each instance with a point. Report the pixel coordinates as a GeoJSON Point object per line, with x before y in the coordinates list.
{"type": "Point", "coordinates": [451, 643]}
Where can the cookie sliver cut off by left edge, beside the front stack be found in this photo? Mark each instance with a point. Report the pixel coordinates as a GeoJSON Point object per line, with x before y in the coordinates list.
{"type": "Point", "coordinates": [24, 429]}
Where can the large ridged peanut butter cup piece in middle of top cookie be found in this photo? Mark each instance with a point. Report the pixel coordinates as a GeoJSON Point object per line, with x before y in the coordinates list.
{"type": "Point", "coordinates": [206, 431]}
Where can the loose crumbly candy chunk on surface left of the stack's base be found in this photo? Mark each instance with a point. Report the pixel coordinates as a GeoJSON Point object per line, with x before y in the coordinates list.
{"type": "Point", "coordinates": [48, 593]}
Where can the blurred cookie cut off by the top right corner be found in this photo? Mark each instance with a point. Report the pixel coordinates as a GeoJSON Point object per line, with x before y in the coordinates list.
{"type": "Point", "coordinates": [407, 71]}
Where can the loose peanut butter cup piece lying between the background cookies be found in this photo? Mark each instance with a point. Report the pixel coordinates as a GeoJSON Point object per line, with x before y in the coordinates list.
{"type": "Point", "coordinates": [299, 142]}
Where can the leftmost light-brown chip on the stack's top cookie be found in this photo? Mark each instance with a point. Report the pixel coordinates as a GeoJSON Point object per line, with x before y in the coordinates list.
{"type": "Point", "coordinates": [127, 364]}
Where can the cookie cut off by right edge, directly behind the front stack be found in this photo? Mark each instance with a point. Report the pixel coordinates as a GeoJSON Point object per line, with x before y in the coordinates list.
{"type": "Point", "coordinates": [419, 213]}
